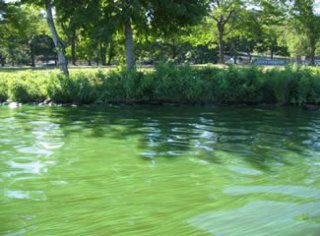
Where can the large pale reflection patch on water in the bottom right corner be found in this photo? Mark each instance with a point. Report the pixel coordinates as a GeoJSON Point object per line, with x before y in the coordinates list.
{"type": "Point", "coordinates": [263, 218]}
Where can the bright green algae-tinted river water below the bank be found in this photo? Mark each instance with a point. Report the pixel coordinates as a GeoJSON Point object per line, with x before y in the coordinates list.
{"type": "Point", "coordinates": [224, 171]}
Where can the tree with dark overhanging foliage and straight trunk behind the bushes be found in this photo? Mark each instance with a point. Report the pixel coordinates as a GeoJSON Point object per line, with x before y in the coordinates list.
{"type": "Point", "coordinates": [162, 16]}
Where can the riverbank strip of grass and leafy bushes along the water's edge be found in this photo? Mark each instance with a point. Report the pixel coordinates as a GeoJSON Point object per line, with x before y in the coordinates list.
{"type": "Point", "coordinates": [166, 84]}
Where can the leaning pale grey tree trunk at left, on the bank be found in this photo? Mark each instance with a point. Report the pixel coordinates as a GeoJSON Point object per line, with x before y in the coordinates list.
{"type": "Point", "coordinates": [62, 60]}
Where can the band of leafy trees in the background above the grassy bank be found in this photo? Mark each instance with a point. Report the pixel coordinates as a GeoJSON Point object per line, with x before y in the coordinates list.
{"type": "Point", "coordinates": [145, 31]}
